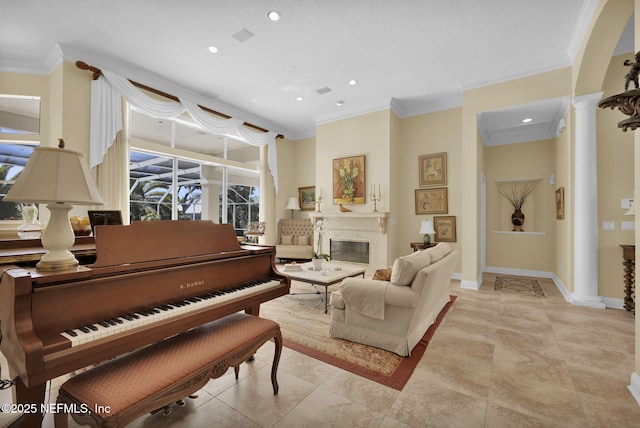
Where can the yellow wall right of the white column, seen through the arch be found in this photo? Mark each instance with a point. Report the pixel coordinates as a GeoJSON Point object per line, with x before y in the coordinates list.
{"type": "Point", "coordinates": [615, 181]}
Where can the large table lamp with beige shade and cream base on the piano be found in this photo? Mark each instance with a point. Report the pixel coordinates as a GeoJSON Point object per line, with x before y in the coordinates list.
{"type": "Point", "coordinates": [58, 178]}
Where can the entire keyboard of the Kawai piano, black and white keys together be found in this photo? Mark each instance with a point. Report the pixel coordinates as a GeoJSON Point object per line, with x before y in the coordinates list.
{"type": "Point", "coordinates": [99, 330]}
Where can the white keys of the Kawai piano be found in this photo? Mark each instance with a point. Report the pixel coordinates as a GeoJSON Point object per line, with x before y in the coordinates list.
{"type": "Point", "coordinates": [78, 337]}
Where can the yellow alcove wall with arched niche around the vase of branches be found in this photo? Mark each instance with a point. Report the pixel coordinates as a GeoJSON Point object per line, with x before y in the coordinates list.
{"type": "Point", "coordinates": [533, 163]}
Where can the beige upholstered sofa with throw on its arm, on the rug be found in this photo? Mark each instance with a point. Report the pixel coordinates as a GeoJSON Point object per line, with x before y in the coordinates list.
{"type": "Point", "coordinates": [395, 314]}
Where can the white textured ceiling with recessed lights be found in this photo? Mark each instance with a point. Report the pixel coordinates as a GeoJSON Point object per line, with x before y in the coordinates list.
{"type": "Point", "coordinates": [413, 55]}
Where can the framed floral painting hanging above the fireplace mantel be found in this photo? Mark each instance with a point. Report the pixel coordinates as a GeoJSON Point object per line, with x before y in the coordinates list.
{"type": "Point", "coordinates": [348, 180]}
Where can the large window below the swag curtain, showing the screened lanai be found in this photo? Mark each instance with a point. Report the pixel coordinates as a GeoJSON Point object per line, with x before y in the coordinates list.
{"type": "Point", "coordinates": [176, 172]}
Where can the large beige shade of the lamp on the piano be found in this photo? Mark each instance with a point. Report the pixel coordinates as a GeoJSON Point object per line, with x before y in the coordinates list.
{"type": "Point", "coordinates": [54, 175]}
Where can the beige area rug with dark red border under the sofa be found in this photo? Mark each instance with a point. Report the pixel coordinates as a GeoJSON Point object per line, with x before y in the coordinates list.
{"type": "Point", "coordinates": [305, 329]}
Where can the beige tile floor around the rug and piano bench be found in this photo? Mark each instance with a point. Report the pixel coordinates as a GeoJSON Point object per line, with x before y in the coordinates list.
{"type": "Point", "coordinates": [498, 360]}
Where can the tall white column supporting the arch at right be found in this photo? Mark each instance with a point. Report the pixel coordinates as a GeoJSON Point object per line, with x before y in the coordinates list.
{"type": "Point", "coordinates": [585, 290]}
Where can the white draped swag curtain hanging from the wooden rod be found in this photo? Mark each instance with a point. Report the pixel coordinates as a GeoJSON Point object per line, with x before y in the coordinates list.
{"type": "Point", "coordinates": [106, 118]}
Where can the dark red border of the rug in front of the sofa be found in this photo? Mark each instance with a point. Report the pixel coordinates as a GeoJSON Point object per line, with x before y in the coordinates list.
{"type": "Point", "coordinates": [398, 379]}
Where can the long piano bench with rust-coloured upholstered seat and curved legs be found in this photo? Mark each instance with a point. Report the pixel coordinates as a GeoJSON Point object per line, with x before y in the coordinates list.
{"type": "Point", "coordinates": [119, 391]}
